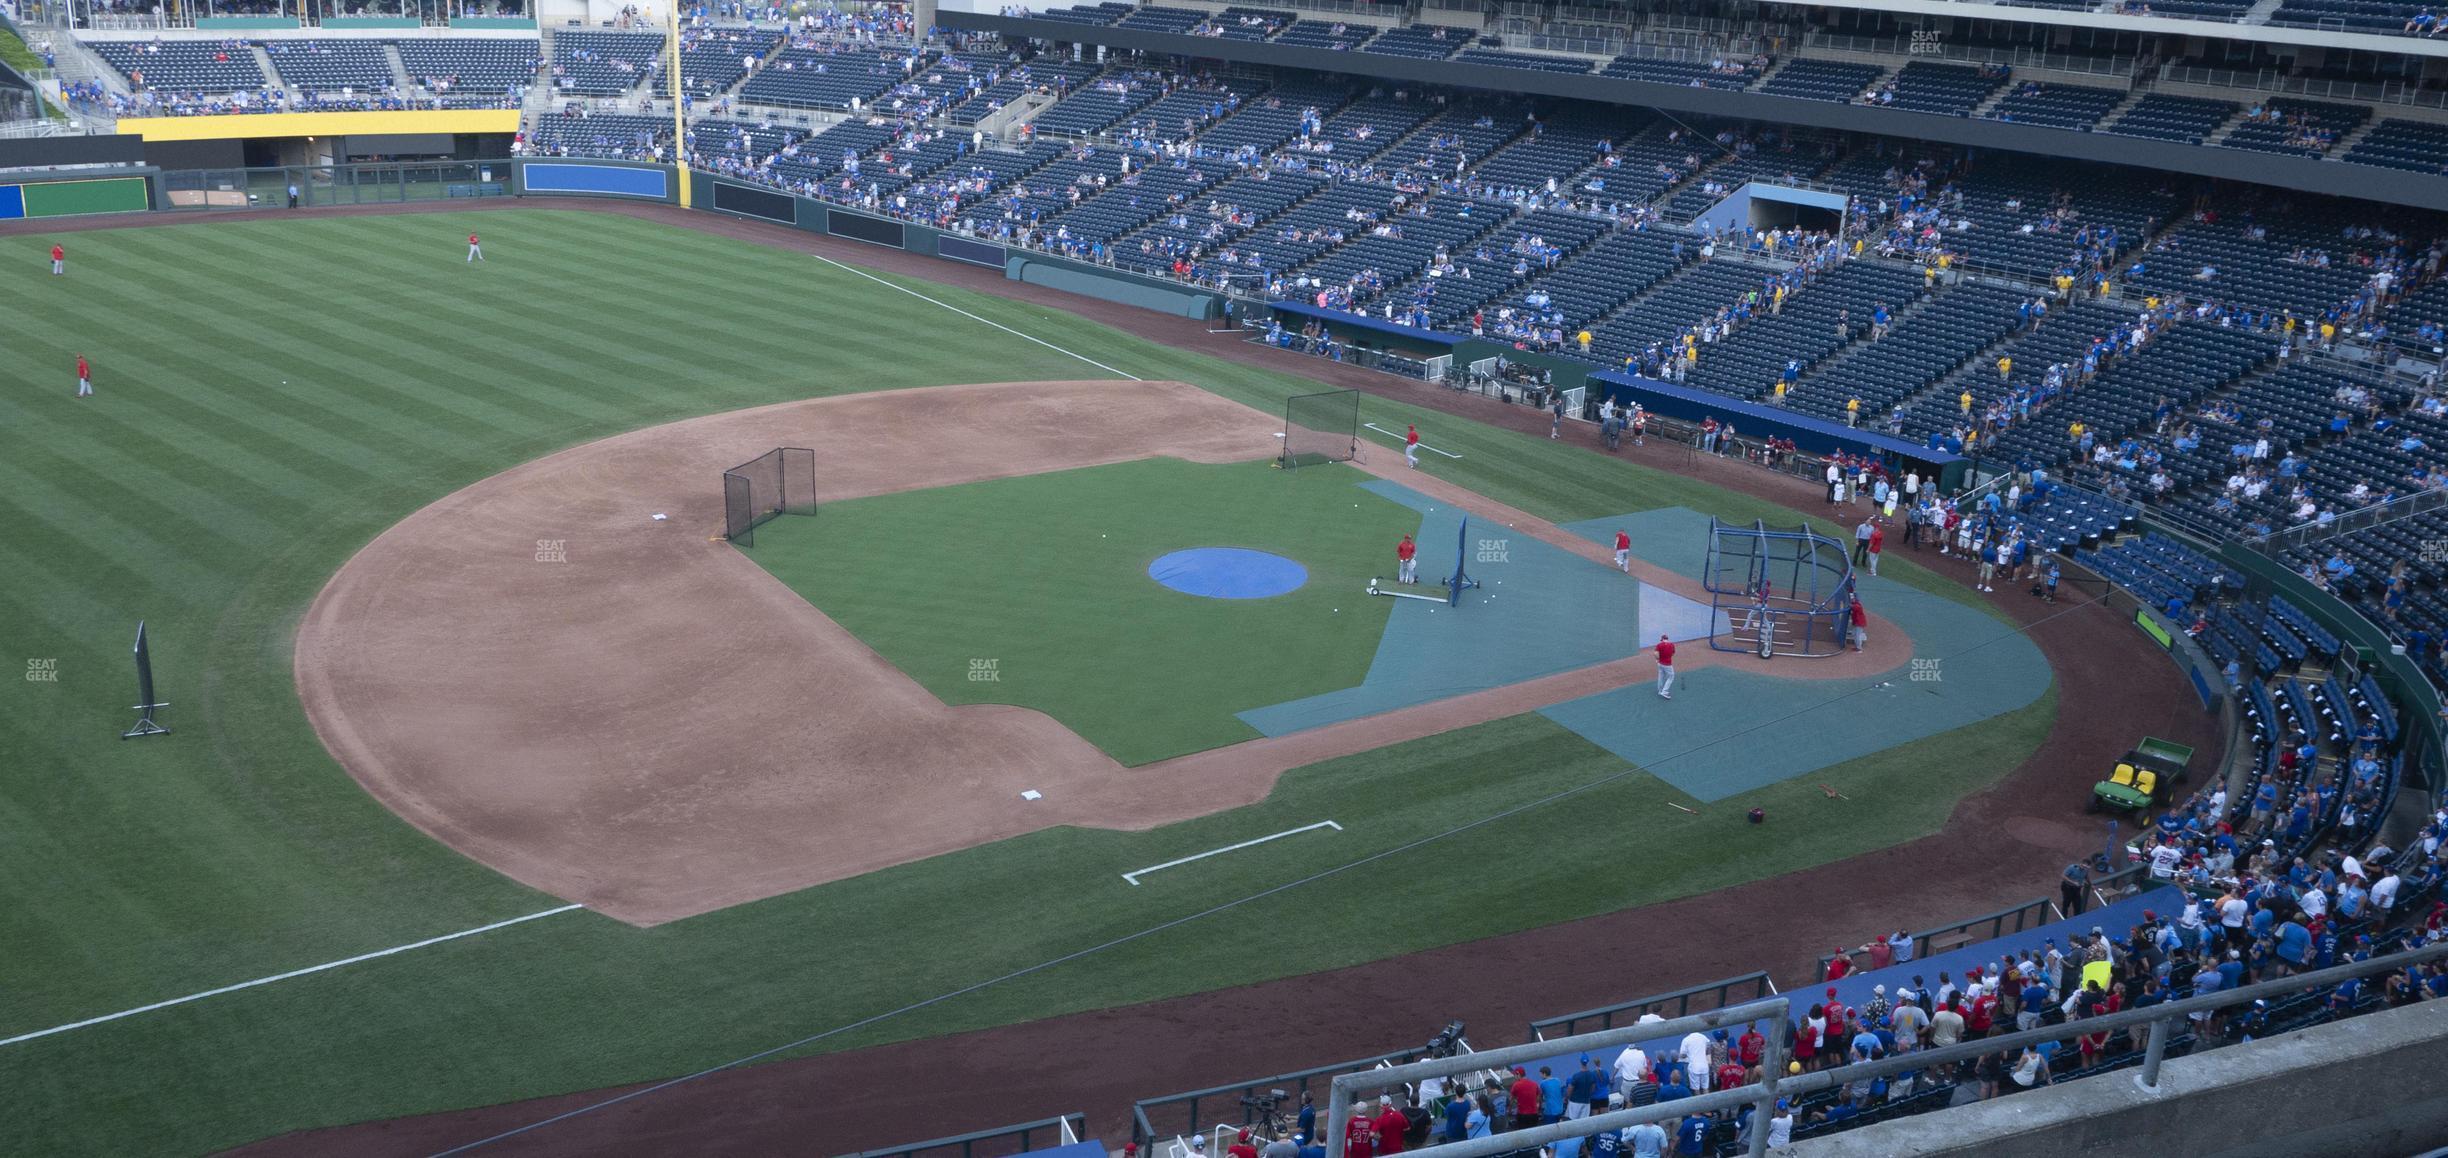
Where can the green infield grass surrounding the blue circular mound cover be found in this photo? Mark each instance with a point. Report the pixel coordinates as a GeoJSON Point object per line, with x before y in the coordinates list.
{"type": "Point", "coordinates": [1047, 577]}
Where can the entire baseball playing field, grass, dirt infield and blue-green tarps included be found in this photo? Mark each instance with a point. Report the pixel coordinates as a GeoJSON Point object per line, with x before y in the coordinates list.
{"type": "Point", "coordinates": [491, 785]}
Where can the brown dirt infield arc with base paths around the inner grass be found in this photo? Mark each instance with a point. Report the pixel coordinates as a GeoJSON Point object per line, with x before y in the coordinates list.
{"type": "Point", "coordinates": [630, 716]}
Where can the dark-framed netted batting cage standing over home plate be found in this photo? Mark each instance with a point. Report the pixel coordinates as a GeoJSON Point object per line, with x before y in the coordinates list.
{"type": "Point", "coordinates": [1776, 591]}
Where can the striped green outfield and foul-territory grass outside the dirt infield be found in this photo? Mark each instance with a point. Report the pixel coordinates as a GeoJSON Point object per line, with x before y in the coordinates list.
{"type": "Point", "coordinates": [275, 393]}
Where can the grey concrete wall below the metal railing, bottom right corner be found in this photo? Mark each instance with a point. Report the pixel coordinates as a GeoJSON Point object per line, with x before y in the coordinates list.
{"type": "Point", "coordinates": [2359, 1088]}
